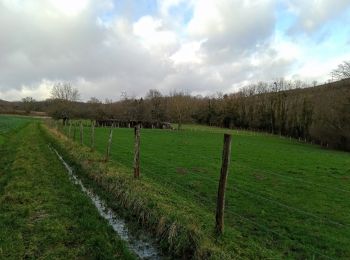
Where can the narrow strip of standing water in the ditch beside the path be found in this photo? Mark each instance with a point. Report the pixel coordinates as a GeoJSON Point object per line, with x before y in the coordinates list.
{"type": "Point", "coordinates": [144, 248]}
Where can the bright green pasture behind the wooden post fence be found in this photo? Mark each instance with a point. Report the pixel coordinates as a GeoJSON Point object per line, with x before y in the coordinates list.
{"type": "Point", "coordinates": [284, 198]}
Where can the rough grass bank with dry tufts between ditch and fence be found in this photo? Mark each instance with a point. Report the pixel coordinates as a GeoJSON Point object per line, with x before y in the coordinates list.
{"type": "Point", "coordinates": [148, 204]}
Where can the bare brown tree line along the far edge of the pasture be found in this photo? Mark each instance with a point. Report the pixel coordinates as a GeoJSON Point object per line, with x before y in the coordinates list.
{"type": "Point", "coordinates": [316, 113]}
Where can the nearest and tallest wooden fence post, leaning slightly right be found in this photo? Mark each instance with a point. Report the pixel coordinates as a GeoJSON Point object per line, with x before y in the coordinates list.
{"type": "Point", "coordinates": [220, 206]}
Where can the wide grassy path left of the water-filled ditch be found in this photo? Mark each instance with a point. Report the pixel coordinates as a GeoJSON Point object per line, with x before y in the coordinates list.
{"type": "Point", "coordinates": [42, 214]}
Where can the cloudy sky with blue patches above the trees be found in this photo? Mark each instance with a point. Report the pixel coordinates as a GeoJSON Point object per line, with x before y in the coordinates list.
{"type": "Point", "coordinates": [108, 47]}
